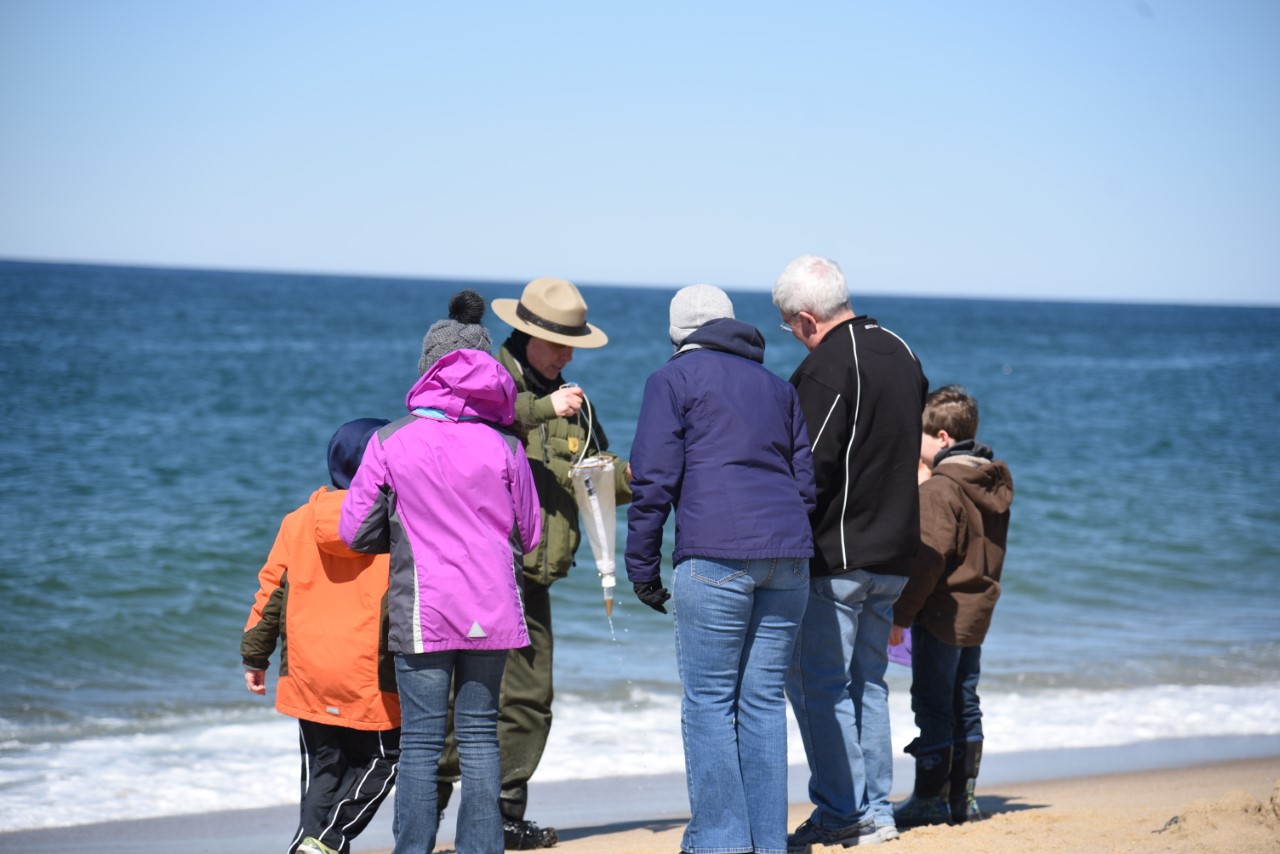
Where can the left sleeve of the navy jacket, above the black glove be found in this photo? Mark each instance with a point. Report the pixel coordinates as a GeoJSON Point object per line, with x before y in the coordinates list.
{"type": "Point", "coordinates": [657, 472]}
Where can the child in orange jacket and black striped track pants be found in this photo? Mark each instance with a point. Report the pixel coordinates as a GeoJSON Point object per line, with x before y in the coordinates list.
{"type": "Point", "coordinates": [327, 606]}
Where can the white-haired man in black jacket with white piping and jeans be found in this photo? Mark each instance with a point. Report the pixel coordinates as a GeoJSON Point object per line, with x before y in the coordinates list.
{"type": "Point", "coordinates": [862, 391]}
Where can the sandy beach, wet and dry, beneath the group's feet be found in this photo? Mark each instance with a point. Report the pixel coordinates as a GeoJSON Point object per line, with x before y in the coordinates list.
{"type": "Point", "coordinates": [1220, 796]}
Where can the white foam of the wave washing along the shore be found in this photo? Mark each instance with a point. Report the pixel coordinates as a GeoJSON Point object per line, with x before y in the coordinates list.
{"type": "Point", "coordinates": [254, 762]}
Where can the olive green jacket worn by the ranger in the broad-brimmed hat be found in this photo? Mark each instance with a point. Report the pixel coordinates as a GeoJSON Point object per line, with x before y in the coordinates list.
{"type": "Point", "coordinates": [555, 445]}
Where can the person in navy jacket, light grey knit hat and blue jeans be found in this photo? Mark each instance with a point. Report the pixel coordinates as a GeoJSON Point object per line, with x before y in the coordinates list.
{"type": "Point", "coordinates": [724, 441]}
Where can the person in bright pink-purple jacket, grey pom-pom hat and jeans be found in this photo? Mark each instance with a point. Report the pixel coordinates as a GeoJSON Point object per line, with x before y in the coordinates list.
{"type": "Point", "coordinates": [449, 494]}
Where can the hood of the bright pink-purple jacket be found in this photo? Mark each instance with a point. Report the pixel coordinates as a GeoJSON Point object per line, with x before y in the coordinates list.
{"type": "Point", "coordinates": [467, 385]}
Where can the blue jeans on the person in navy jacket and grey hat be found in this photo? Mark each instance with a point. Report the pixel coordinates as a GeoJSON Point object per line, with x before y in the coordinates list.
{"type": "Point", "coordinates": [737, 623]}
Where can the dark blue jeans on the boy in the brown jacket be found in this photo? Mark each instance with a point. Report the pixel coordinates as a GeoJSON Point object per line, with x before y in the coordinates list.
{"type": "Point", "coordinates": [945, 691]}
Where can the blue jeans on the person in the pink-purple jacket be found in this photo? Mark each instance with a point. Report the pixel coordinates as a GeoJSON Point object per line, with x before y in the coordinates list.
{"type": "Point", "coordinates": [424, 688]}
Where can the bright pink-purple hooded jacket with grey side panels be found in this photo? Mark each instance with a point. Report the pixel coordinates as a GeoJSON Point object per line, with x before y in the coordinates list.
{"type": "Point", "coordinates": [449, 492]}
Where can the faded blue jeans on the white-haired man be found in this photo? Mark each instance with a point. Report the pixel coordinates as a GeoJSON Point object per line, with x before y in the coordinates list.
{"type": "Point", "coordinates": [840, 698]}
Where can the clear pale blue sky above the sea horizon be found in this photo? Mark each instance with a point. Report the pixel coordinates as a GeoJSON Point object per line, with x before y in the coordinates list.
{"type": "Point", "coordinates": [1078, 149]}
